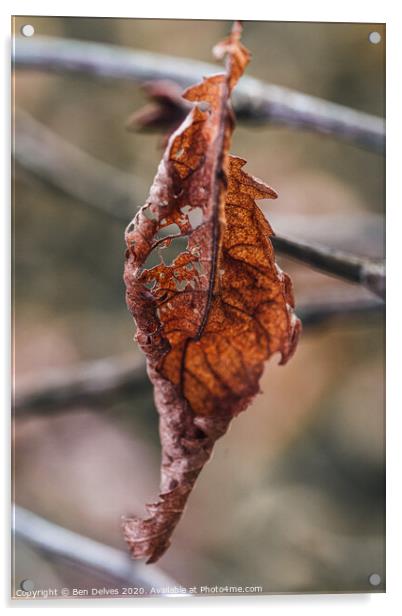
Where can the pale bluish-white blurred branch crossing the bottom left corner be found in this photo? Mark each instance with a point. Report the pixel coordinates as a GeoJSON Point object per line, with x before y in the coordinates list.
{"type": "Point", "coordinates": [61, 544]}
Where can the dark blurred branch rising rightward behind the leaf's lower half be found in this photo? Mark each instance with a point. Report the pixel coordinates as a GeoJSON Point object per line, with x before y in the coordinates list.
{"type": "Point", "coordinates": [103, 380]}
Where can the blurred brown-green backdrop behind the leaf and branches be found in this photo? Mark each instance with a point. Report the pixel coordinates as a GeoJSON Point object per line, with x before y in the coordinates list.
{"type": "Point", "coordinates": [293, 498]}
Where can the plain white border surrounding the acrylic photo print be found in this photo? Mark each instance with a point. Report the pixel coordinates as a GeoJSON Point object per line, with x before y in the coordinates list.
{"type": "Point", "coordinates": [340, 11]}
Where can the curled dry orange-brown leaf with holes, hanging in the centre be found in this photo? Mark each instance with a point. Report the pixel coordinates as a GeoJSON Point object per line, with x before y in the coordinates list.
{"type": "Point", "coordinates": [208, 321]}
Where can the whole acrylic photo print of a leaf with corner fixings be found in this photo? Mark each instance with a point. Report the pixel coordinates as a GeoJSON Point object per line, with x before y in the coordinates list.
{"type": "Point", "coordinates": [292, 497]}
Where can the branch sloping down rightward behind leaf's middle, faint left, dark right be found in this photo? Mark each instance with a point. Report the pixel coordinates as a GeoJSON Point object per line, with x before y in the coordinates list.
{"type": "Point", "coordinates": [48, 156]}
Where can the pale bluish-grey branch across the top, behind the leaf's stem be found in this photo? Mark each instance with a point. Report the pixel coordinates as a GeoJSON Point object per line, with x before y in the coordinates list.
{"type": "Point", "coordinates": [253, 100]}
